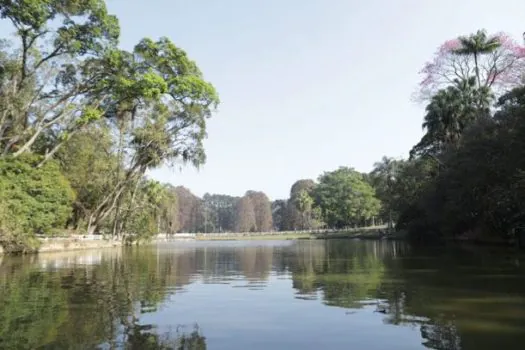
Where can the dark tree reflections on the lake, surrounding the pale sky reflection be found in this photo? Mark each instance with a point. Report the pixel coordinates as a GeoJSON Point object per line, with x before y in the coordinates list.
{"type": "Point", "coordinates": [457, 298]}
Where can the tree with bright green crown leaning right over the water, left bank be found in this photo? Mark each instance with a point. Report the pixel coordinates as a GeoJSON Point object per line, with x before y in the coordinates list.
{"type": "Point", "coordinates": [159, 88]}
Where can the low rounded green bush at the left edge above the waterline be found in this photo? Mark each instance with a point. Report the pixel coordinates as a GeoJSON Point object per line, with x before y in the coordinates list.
{"type": "Point", "coordinates": [36, 200]}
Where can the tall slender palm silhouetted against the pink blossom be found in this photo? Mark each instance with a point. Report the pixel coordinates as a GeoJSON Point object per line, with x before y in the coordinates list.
{"type": "Point", "coordinates": [476, 45]}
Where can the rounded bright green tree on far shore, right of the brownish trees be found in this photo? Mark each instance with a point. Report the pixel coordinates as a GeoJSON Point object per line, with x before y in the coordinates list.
{"type": "Point", "coordinates": [345, 198]}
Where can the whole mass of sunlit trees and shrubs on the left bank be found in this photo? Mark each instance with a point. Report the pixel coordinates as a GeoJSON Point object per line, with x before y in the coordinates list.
{"type": "Point", "coordinates": [81, 121]}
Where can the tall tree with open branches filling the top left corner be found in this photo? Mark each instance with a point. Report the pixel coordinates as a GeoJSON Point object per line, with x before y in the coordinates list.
{"type": "Point", "coordinates": [49, 85]}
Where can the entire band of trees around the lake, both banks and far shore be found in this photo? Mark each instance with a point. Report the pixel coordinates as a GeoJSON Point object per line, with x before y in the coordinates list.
{"type": "Point", "coordinates": [82, 121]}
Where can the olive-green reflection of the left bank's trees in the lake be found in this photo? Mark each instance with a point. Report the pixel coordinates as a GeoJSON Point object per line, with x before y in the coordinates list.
{"type": "Point", "coordinates": [77, 307]}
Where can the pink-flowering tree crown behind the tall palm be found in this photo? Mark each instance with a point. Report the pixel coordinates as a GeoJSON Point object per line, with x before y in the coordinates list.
{"type": "Point", "coordinates": [496, 61]}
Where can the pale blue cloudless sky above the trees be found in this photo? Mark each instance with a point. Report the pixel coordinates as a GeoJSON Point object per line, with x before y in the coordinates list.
{"type": "Point", "coordinates": [306, 86]}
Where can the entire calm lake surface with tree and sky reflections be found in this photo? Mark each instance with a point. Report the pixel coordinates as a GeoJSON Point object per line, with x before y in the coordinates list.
{"type": "Point", "coordinates": [264, 295]}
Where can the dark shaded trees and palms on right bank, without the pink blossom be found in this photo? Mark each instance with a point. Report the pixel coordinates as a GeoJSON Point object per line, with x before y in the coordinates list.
{"type": "Point", "coordinates": [465, 178]}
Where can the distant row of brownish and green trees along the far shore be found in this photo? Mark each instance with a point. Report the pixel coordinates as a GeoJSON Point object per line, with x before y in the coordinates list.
{"type": "Point", "coordinates": [341, 198]}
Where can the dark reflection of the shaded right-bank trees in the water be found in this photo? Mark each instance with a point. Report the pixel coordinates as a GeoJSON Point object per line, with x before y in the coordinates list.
{"type": "Point", "coordinates": [452, 297]}
